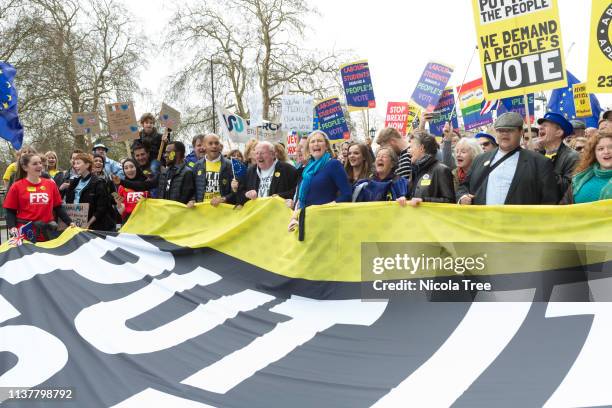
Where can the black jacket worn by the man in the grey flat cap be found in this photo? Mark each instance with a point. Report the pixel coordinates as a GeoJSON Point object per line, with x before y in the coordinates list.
{"type": "Point", "coordinates": [533, 183]}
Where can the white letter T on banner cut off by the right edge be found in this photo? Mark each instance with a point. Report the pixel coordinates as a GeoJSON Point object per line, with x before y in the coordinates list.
{"type": "Point", "coordinates": [587, 384]}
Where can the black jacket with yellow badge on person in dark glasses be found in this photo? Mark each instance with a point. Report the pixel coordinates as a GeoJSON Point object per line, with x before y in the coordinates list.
{"type": "Point", "coordinates": [431, 181]}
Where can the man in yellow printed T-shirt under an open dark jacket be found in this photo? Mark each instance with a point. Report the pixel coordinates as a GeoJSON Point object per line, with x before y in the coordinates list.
{"type": "Point", "coordinates": [213, 175]}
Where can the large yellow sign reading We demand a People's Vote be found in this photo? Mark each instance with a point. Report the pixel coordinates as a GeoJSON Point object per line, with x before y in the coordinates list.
{"type": "Point", "coordinates": [520, 46]}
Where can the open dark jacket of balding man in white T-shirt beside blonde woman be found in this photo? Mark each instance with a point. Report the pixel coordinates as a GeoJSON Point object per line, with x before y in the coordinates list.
{"type": "Point", "coordinates": [284, 181]}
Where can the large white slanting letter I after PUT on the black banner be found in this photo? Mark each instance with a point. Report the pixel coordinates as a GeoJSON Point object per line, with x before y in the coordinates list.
{"type": "Point", "coordinates": [453, 370]}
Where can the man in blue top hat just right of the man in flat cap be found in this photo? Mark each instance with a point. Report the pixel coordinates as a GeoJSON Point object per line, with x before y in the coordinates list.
{"type": "Point", "coordinates": [553, 129]}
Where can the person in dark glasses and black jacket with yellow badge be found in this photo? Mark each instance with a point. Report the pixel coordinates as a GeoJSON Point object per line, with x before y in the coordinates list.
{"type": "Point", "coordinates": [430, 180]}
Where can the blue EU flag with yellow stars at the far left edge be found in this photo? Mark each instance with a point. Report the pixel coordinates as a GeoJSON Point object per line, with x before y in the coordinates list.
{"type": "Point", "coordinates": [10, 127]}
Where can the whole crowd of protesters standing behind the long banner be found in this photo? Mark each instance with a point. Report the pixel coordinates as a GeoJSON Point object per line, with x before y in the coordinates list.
{"type": "Point", "coordinates": [557, 162]}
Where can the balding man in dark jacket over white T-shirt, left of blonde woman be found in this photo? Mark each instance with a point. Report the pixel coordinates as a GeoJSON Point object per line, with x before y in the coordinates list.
{"type": "Point", "coordinates": [268, 177]}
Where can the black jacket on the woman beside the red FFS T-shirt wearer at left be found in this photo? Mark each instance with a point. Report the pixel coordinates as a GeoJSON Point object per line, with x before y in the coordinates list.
{"type": "Point", "coordinates": [95, 194]}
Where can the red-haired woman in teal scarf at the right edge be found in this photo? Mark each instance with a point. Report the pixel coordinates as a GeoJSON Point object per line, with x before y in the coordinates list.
{"type": "Point", "coordinates": [593, 179]}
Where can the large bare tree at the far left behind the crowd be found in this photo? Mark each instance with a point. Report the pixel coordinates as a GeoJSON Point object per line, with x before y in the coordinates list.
{"type": "Point", "coordinates": [71, 56]}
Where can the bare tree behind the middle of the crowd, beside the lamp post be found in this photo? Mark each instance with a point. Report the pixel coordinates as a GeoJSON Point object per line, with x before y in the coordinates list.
{"type": "Point", "coordinates": [252, 43]}
